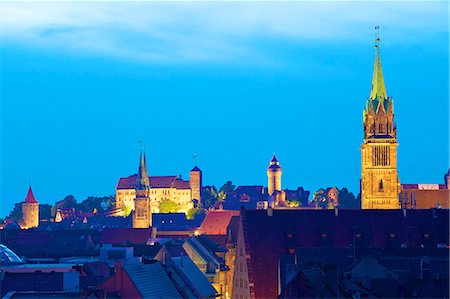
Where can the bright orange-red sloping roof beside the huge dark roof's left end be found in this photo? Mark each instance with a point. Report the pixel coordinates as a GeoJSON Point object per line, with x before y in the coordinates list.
{"type": "Point", "coordinates": [216, 222]}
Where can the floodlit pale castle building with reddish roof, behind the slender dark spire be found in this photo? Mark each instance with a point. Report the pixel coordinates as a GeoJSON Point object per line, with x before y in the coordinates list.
{"type": "Point", "coordinates": [173, 188]}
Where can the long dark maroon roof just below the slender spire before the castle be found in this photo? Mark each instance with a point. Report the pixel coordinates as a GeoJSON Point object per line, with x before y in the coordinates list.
{"type": "Point", "coordinates": [125, 235]}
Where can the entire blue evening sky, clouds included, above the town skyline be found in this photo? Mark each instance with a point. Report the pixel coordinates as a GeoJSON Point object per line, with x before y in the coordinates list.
{"type": "Point", "coordinates": [233, 82]}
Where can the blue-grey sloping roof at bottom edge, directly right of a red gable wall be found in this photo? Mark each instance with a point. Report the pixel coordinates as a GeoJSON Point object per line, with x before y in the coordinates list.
{"type": "Point", "coordinates": [151, 280]}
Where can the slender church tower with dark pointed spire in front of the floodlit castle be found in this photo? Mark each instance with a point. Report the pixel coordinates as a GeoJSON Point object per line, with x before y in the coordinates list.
{"type": "Point", "coordinates": [142, 215]}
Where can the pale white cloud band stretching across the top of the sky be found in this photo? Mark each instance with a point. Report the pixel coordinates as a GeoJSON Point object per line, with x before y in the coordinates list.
{"type": "Point", "coordinates": [168, 32]}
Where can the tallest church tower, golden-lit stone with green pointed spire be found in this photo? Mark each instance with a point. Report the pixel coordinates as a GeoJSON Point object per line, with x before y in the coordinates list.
{"type": "Point", "coordinates": [379, 178]}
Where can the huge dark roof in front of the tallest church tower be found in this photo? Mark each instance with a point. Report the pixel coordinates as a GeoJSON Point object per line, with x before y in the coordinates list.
{"type": "Point", "coordinates": [269, 237]}
